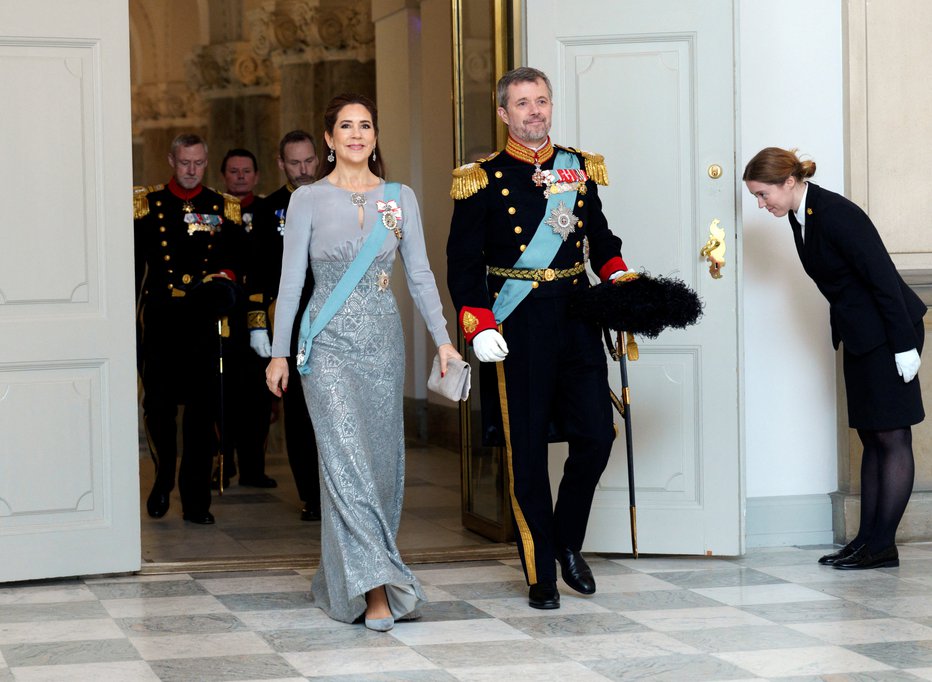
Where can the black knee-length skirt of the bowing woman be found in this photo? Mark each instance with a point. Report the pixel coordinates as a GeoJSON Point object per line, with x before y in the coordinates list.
{"type": "Point", "coordinates": [878, 400]}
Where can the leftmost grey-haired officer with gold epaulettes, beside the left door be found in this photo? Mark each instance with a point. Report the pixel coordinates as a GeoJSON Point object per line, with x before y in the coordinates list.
{"type": "Point", "coordinates": [184, 262]}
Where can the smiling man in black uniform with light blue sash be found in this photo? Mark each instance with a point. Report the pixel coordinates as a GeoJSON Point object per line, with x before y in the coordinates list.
{"type": "Point", "coordinates": [525, 222]}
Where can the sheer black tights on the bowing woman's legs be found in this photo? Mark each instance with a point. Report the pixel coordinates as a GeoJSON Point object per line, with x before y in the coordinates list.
{"type": "Point", "coordinates": [887, 471]}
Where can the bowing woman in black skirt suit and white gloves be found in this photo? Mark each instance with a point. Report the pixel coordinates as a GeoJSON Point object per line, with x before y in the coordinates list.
{"type": "Point", "coordinates": [878, 320]}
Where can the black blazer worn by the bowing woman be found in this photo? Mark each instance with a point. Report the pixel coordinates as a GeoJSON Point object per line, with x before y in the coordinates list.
{"type": "Point", "coordinates": [870, 304]}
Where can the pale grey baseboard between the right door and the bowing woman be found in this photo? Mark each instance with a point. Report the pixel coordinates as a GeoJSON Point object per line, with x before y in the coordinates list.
{"type": "Point", "coordinates": [789, 520]}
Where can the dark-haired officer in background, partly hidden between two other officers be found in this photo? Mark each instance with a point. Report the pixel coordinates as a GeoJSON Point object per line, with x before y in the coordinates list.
{"type": "Point", "coordinates": [246, 395]}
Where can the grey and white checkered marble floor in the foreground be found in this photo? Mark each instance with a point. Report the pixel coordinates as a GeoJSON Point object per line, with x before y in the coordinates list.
{"type": "Point", "coordinates": [772, 614]}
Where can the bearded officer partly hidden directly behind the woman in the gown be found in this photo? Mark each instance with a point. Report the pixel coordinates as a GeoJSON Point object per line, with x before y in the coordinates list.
{"type": "Point", "coordinates": [297, 158]}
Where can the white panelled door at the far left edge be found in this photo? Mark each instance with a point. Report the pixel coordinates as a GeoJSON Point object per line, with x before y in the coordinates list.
{"type": "Point", "coordinates": [68, 451]}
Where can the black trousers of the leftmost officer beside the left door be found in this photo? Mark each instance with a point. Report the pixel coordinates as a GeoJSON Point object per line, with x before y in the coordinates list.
{"type": "Point", "coordinates": [179, 359]}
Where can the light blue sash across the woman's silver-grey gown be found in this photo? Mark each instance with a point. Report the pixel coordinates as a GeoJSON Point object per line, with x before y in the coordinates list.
{"type": "Point", "coordinates": [346, 285]}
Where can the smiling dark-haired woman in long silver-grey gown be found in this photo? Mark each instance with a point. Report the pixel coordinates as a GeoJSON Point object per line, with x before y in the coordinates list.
{"type": "Point", "coordinates": [354, 388]}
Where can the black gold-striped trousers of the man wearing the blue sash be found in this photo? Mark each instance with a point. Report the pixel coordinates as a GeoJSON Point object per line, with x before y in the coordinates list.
{"type": "Point", "coordinates": [555, 370]}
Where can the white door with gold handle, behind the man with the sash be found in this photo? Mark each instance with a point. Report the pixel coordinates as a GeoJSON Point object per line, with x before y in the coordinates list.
{"type": "Point", "coordinates": [649, 84]}
